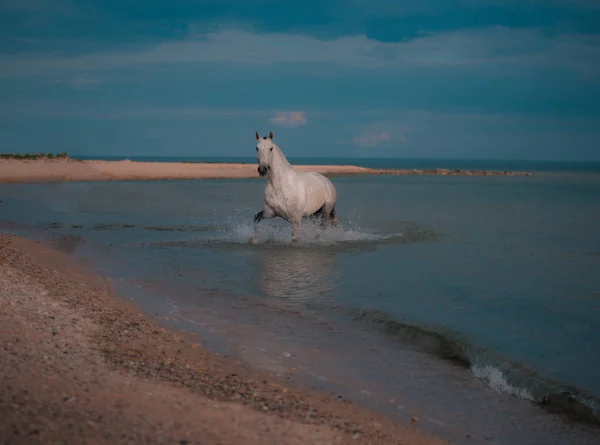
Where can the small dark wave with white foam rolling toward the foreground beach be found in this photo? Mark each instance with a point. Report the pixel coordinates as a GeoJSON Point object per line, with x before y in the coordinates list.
{"type": "Point", "coordinates": [500, 373]}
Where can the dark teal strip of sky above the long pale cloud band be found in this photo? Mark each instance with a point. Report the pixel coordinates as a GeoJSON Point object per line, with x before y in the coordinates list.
{"type": "Point", "coordinates": [107, 22]}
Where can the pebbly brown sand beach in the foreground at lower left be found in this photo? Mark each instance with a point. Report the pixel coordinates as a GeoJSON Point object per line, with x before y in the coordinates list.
{"type": "Point", "coordinates": [81, 365]}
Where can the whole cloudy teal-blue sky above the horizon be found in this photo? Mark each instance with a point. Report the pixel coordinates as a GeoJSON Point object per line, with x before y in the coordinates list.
{"type": "Point", "coordinates": [497, 79]}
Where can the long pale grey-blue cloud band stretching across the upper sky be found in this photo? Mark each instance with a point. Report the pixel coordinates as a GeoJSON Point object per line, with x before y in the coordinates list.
{"type": "Point", "coordinates": [484, 49]}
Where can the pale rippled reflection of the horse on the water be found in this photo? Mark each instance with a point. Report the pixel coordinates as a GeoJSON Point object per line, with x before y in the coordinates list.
{"type": "Point", "coordinates": [297, 274]}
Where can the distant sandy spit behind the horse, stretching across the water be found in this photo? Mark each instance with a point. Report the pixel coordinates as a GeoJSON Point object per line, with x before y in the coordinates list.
{"type": "Point", "coordinates": [53, 170]}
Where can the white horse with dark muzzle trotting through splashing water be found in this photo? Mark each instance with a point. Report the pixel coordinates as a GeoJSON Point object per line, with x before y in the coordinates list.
{"type": "Point", "coordinates": [290, 194]}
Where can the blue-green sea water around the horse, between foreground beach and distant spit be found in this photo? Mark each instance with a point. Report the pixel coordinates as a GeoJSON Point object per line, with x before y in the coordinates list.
{"type": "Point", "coordinates": [496, 273]}
